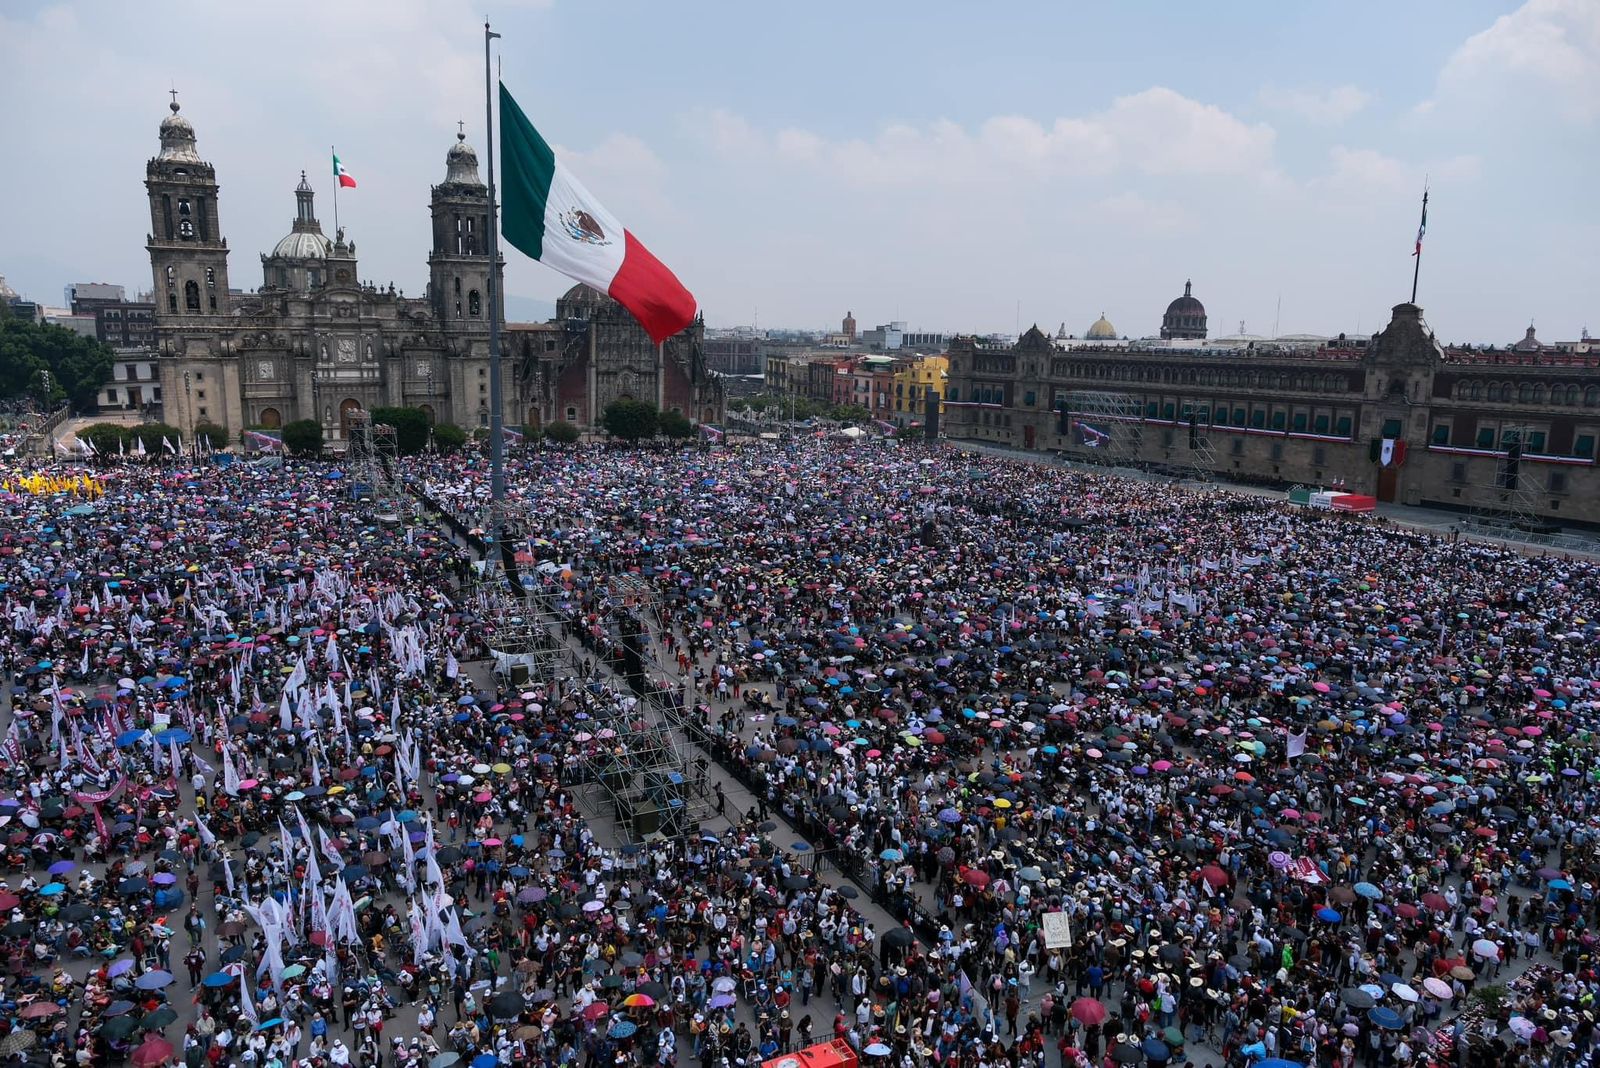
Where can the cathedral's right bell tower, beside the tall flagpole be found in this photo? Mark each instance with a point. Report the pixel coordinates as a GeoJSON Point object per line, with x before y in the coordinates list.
{"type": "Point", "coordinates": [460, 263]}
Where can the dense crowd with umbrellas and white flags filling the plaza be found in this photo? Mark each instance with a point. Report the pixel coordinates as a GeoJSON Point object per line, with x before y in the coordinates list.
{"type": "Point", "coordinates": [1303, 787]}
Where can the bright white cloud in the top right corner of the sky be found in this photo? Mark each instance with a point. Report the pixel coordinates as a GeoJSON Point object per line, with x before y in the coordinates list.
{"type": "Point", "coordinates": [1545, 49]}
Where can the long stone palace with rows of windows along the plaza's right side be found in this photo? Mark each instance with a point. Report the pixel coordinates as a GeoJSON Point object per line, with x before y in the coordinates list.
{"type": "Point", "coordinates": [1398, 415]}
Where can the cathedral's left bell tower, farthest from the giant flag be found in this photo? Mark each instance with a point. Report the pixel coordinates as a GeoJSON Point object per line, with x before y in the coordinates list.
{"type": "Point", "coordinates": [188, 253]}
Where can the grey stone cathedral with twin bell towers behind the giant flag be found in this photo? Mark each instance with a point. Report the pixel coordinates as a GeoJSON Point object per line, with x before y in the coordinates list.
{"type": "Point", "coordinates": [316, 343]}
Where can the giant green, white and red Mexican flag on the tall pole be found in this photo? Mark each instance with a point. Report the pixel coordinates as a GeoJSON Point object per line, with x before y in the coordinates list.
{"type": "Point", "coordinates": [554, 220]}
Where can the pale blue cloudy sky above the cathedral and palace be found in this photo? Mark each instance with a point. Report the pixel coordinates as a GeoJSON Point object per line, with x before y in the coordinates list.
{"type": "Point", "coordinates": [959, 167]}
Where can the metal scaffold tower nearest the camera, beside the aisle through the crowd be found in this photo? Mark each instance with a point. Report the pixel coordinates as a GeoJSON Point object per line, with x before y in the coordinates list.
{"type": "Point", "coordinates": [649, 778]}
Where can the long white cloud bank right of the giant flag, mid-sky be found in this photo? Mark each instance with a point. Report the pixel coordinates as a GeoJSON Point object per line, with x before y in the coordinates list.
{"type": "Point", "coordinates": [1156, 132]}
